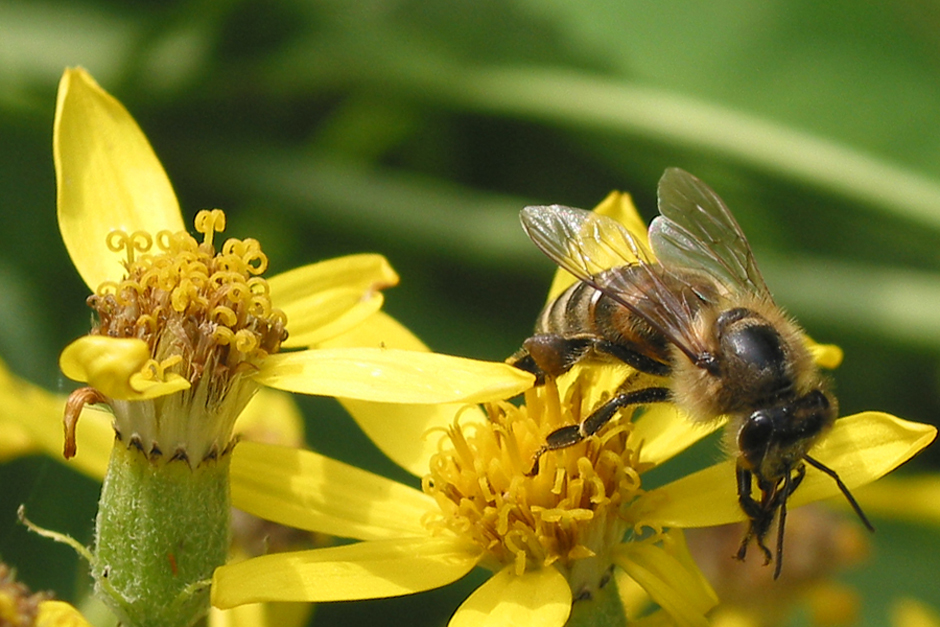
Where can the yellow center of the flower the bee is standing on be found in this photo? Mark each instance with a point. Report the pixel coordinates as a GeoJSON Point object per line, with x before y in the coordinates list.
{"type": "Point", "coordinates": [570, 515]}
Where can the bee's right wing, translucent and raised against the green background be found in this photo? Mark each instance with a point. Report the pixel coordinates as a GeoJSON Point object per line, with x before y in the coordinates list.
{"type": "Point", "coordinates": [696, 231]}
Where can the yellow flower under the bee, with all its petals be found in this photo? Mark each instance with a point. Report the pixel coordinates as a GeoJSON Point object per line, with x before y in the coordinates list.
{"type": "Point", "coordinates": [551, 539]}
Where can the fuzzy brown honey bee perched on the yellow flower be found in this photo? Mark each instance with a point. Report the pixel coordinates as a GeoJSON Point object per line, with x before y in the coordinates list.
{"type": "Point", "coordinates": [691, 313]}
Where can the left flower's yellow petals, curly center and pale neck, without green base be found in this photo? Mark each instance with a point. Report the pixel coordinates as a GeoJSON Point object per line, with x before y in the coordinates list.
{"type": "Point", "coordinates": [182, 326]}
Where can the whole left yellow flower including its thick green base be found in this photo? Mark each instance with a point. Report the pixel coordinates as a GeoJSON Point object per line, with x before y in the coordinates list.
{"type": "Point", "coordinates": [187, 331]}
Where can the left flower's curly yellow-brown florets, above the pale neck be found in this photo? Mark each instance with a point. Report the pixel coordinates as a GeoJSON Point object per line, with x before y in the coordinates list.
{"type": "Point", "coordinates": [193, 306]}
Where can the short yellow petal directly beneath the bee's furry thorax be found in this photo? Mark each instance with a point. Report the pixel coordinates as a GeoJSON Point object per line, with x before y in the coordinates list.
{"type": "Point", "coordinates": [662, 432]}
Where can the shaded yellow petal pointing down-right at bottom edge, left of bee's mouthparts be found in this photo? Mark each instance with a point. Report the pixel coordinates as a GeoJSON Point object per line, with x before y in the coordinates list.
{"type": "Point", "coordinates": [684, 594]}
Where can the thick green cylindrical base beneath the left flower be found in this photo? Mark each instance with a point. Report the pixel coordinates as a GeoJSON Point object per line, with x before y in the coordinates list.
{"type": "Point", "coordinates": [162, 529]}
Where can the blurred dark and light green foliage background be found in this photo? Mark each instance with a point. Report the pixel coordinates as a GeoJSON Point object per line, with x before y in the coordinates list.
{"type": "Point", "coordinates": [418, 129]}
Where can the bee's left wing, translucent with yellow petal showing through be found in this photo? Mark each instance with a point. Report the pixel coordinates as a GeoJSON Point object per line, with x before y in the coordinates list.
{"type": "Point", "coordinates": [587, 245]}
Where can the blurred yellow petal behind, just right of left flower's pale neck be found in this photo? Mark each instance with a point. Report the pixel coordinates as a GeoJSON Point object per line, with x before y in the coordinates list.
{"type": "Point", "coordinates": [272, 417]}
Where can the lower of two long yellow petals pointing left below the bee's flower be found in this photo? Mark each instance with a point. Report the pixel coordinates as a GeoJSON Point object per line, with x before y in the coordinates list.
{"type": "Point", "coordinates": [367, 570]}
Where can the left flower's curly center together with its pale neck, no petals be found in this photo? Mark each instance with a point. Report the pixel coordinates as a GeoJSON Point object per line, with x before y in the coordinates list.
{"type": "Point", "coordinates": [207, 317]}
